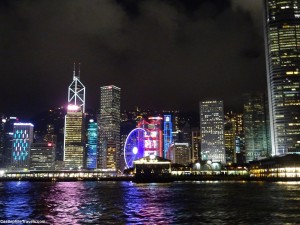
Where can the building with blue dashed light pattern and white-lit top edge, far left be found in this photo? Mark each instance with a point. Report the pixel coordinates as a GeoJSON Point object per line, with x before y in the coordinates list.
{"type": "Point", "coordinates": [22, 140]}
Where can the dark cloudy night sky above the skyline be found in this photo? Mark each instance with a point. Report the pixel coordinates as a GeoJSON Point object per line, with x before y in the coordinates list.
{"type": "Point", "coordinates": [163, 54]}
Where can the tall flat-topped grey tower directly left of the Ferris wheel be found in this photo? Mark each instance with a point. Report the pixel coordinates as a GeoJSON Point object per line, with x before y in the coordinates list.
{"type": "Point", "coordinates": [109, 128]}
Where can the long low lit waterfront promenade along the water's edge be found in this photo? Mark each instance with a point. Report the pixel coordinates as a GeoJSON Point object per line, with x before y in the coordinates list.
{"type": "Point", "coordinates": [64, 176]}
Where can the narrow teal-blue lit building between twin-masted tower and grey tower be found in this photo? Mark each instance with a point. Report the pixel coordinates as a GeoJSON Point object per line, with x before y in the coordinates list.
{"type": "Point", "coordinates": [92, 145]}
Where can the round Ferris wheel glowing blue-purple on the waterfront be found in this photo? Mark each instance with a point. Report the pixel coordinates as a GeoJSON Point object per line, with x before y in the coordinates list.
{"type": "Point", "coordinates": [134, 146]}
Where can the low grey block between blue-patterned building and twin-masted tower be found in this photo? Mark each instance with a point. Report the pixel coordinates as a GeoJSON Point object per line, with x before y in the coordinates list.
{"type": "Point", "coordinates": [42, 156]}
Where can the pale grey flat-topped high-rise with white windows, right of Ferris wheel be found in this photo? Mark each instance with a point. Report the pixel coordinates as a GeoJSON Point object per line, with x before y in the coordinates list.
{"type": "Point", "coordinates": [212, 130]}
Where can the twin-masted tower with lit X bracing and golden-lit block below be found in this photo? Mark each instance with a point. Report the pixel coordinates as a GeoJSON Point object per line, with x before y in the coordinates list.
{"type": "Point", "coordinates": [74, 138]}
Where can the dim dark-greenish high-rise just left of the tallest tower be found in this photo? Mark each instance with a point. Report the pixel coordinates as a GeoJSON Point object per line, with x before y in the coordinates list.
{"type": "Point", "coordinates": [256, 127]}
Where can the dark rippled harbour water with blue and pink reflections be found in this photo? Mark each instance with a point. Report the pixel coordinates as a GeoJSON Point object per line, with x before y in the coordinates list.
{"type": "Point", "coordinates": [130, 203]}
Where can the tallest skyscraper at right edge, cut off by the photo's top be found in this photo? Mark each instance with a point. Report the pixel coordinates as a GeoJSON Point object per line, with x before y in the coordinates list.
{"type": "Point", "coordinates": [282, 36]}
